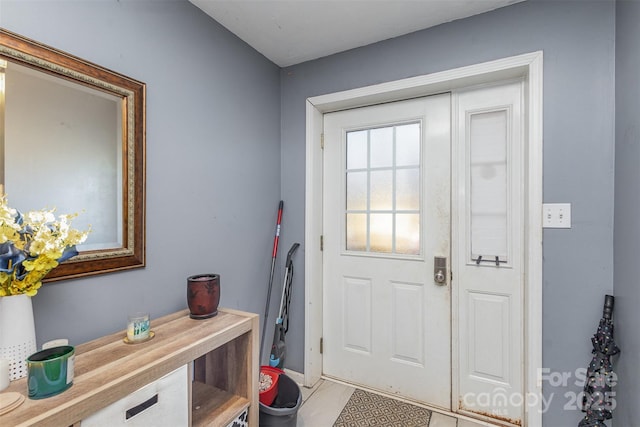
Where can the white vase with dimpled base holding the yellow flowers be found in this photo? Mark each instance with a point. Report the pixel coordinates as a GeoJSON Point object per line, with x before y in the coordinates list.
{"type": "Point", "coordinates": [17, 333]}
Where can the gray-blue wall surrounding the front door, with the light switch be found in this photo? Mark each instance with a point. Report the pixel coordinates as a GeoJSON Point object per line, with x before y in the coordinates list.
{"type": "Point", "coordinates": [578, 43]}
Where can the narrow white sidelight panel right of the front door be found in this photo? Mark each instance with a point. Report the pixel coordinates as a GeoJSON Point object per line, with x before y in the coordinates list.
{"type": "Point", "coordinates": [488, 229]}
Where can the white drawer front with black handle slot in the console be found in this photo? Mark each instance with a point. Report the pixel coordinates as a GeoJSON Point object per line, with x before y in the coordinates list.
{"type": "Point", "coordinates": [162, 403]}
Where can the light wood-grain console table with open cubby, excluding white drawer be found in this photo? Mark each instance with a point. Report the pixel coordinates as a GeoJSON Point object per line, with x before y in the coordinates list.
{"type": "Point", "coordinates": [221, 352]}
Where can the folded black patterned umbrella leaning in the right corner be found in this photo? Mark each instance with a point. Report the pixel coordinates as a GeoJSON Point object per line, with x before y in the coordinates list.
{"type": "Point", "coordinates": [597, 400]}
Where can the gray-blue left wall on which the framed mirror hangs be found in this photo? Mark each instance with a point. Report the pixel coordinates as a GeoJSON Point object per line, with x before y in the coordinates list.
{"type": "Point", "coordinates": [213, 165]}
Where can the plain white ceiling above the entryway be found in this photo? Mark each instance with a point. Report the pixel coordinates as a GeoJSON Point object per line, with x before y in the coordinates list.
{"type": "Point", "coordinates": [293, 31]}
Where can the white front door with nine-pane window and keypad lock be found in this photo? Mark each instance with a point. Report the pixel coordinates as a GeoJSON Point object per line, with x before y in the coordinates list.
{"type": "Point", "coordinates": [386, 215]}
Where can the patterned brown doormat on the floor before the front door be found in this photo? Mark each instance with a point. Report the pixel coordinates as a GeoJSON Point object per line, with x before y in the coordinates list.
{"type": "Point", "coordinates": [370, 409]}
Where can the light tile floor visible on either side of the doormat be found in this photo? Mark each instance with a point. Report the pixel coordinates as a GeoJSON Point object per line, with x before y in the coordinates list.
{"type": "Point", "coordinates": [322, 404]}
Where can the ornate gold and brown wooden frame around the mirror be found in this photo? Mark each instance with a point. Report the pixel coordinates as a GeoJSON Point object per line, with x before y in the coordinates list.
{"type": "Point", "coordinates": [131, 95]}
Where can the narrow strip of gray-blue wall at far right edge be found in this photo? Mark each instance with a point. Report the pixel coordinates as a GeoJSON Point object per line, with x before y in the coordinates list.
{"type": "Point", "coordinates": [627, 211]}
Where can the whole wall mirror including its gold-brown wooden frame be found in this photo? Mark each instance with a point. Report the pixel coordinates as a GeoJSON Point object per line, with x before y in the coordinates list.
{"type": "Point", "coordinates": [72, 136]}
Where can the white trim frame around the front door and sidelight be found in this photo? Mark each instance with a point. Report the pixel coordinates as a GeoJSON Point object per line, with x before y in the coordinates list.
{"type": "Point", "coordinates": [529, 66]}
